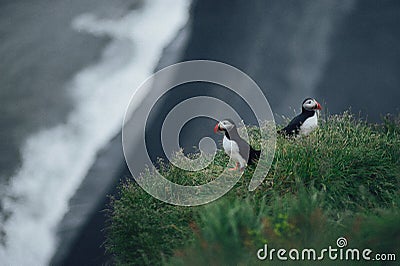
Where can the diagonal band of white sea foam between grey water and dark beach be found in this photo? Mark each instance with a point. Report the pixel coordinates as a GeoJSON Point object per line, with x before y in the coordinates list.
{"type": "Point", "coordinates": [55, 161]}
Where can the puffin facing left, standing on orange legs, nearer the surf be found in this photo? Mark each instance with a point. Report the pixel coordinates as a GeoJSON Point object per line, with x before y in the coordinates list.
{"type": "Point", "coordinates": [236, 147]}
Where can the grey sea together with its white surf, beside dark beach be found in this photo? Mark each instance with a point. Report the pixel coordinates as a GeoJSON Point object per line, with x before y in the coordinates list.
{"type": "Point", "coordinates": [66, 96]}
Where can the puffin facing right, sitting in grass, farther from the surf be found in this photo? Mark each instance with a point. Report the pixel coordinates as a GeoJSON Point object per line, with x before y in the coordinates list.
{"type": "Point", "coordinates": [306, 122]}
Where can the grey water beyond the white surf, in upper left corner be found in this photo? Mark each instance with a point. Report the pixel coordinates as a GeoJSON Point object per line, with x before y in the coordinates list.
{"type": "Point", "coordinates": [39, 53]}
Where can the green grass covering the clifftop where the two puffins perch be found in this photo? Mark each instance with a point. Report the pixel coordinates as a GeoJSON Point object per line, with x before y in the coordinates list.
{"type": "Point", "coordinates": [342, 180]}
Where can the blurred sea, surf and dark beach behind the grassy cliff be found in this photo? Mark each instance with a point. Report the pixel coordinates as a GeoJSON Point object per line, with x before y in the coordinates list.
{"type": "Point", "coordinates": [68, 69]}
